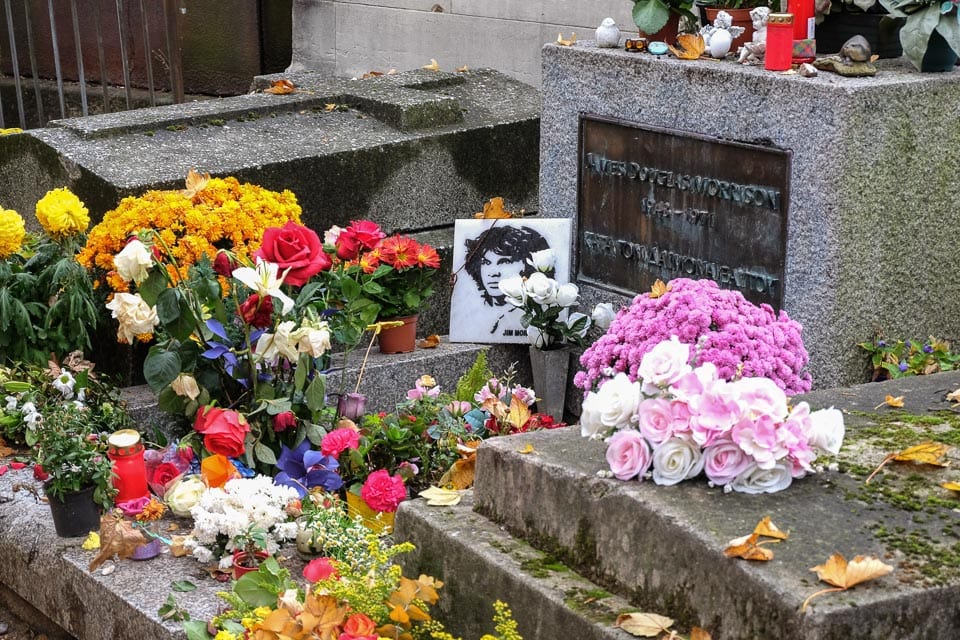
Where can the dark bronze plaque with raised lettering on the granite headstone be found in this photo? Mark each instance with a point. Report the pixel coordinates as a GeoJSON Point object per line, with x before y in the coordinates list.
{"type": "Point", "coordinates": [658, 204]}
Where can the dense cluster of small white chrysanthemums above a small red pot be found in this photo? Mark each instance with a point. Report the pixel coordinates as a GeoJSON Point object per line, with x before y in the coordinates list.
{"type": "Point", "coordinates": [230, 511]}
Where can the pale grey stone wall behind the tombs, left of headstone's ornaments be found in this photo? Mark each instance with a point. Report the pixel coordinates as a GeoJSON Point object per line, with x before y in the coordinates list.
{"type": "Point", "coordinates": [351, 37]}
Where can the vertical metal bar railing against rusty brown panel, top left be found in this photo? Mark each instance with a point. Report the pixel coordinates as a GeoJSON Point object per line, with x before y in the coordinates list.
{"type": "Point", "coordinates": [57, 39]}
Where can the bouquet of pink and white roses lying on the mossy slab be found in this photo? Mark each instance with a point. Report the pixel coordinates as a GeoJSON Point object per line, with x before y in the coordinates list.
{"type": "Point", "coordinates": [682, 420]}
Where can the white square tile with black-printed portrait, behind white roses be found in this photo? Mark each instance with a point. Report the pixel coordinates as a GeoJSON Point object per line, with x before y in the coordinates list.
{"type": "Point", "coordinates": [486, 251]}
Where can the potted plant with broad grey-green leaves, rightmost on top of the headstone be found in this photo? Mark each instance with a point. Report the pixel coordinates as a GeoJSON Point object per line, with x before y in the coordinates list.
{"type": "Point", "coordinates": [930, 35]}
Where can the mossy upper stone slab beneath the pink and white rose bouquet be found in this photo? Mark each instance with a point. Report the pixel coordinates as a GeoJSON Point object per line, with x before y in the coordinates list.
{"type": "Point", "coordinates": [662, 547]}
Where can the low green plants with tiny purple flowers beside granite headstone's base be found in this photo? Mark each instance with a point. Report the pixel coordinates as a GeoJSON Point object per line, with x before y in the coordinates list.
{"type": "Point", "coordinates": [902, 358]}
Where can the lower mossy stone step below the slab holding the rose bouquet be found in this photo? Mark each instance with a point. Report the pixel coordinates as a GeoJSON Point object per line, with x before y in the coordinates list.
{"type": "Point", "coordinates": [480, 562]}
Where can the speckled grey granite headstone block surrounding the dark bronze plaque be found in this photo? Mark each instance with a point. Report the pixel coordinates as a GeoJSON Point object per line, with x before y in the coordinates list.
{"type": "Point", "coordinates": [866, 189]}
